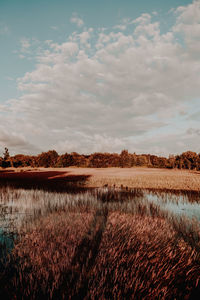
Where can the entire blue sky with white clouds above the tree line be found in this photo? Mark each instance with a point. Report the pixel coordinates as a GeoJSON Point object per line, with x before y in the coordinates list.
{"type": "Point", "coordinates": [107, 75]}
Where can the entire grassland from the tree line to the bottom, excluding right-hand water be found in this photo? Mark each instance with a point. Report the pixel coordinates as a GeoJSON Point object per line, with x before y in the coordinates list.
{"type": "Point", "coordinates": [111, 242]}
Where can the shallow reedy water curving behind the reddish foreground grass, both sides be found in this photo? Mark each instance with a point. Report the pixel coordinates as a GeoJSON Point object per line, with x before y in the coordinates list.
{"type": "Point", "coordinates": [20, 208]}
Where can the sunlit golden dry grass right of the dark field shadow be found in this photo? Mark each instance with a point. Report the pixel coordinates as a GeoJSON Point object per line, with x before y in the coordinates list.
{"type": "Point", "coordinates": [148, 178]}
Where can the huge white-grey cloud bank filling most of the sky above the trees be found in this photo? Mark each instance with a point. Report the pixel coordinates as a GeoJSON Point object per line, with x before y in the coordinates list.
{"type": "Point", "coordinates": [105, 90]}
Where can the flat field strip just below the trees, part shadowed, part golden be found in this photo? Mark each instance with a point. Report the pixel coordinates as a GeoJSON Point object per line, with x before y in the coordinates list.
{"type": "Point", "coordinates": [130, 177]}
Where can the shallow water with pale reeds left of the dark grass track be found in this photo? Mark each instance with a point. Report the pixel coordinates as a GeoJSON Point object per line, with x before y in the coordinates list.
{"type": "Point", "coordinates": [21, 207]}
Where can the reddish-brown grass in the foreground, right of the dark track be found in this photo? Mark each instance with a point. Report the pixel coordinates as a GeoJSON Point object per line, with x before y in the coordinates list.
{"type": "Point", "coordinates": [141, 258]}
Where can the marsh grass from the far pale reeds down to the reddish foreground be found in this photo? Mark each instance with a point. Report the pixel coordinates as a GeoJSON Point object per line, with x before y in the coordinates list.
{"type": "Point", "coordinates": [109, 243]}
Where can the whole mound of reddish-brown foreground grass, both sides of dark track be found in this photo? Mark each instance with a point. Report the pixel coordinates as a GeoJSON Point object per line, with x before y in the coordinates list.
{"type": "Point", "coordinates": [110, 256]}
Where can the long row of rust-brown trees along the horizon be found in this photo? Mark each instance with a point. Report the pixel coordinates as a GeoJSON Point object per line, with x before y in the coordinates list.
{"type": "Point", "coordinates": [187, 160]}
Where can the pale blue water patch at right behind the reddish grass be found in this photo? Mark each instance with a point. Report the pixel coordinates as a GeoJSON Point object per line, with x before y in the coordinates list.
{"type": "Point", "coordinates": [177, 204]}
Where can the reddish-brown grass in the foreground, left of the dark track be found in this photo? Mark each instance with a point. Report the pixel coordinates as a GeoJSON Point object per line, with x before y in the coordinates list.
{"type": "Point", "coordinates": [43, 254]}
